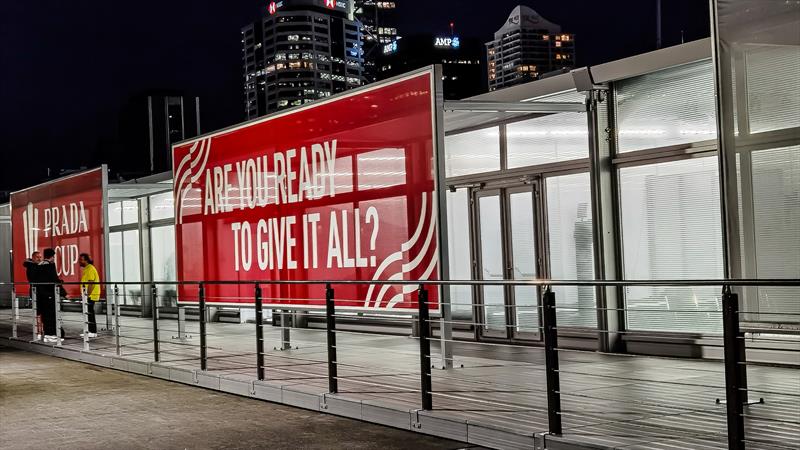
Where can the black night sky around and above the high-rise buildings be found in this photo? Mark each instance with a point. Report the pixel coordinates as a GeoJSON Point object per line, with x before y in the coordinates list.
{"type": "Point", "coordinates": [66, 67]}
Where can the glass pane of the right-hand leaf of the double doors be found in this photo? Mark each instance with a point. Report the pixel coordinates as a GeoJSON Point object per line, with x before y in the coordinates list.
{"type": "Point", "coordinates": [523, 249]}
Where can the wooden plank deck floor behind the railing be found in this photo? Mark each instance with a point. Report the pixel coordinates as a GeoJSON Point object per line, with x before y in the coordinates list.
{"type": "Point", "coordinates": [618, 401]}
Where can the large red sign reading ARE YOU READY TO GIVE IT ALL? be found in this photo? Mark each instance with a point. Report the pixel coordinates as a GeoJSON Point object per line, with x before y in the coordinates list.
{"type": "Point", "coordinates": [343, 189]}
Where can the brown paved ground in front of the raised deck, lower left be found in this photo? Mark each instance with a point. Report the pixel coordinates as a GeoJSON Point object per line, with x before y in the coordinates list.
{"type": "Point", "coordinates": [48, 402]}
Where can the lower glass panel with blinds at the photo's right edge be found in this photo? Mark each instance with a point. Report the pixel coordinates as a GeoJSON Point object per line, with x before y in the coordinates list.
{"type": "Point", "coordinates": [776, 217]}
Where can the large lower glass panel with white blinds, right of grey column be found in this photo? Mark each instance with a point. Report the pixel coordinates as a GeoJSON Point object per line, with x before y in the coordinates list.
{"type": "Point", "coordinates": [671, 231]}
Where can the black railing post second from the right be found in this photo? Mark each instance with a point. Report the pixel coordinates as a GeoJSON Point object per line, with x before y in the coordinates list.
{"type": "Point", "coordinates": [551, 362]}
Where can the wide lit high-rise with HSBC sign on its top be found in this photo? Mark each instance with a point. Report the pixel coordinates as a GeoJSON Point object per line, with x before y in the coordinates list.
{"type": "Point", "coordinates": [300, 51]}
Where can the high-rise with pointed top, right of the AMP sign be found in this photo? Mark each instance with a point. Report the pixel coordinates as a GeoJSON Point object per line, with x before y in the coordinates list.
{"type": "Point", "coordinates": [526, 47]}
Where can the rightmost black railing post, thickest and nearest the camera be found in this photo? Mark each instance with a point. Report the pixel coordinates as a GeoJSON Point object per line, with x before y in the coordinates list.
{"type": "Point", "coordinates": [733, 362]}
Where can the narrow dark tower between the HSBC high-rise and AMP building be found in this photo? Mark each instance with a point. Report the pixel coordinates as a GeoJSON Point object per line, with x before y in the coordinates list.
{"type": "Point", "coordinates": [378, 30]}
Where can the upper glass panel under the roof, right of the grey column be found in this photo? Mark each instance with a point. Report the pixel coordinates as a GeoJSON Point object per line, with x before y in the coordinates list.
{"type": "Point", "coordinates": [668, 107]}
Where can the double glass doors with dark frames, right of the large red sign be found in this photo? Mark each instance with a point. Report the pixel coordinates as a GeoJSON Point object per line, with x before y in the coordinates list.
{"type": "Point", "coordinates": [507, 248]}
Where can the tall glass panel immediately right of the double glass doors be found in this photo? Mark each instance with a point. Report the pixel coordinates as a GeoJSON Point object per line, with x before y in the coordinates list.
{"type": "Point", "coordinates": [569, 222]}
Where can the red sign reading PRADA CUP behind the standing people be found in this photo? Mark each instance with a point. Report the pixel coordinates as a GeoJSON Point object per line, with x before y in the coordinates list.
{"type": "Point", "coordinates": [66, 215]}
